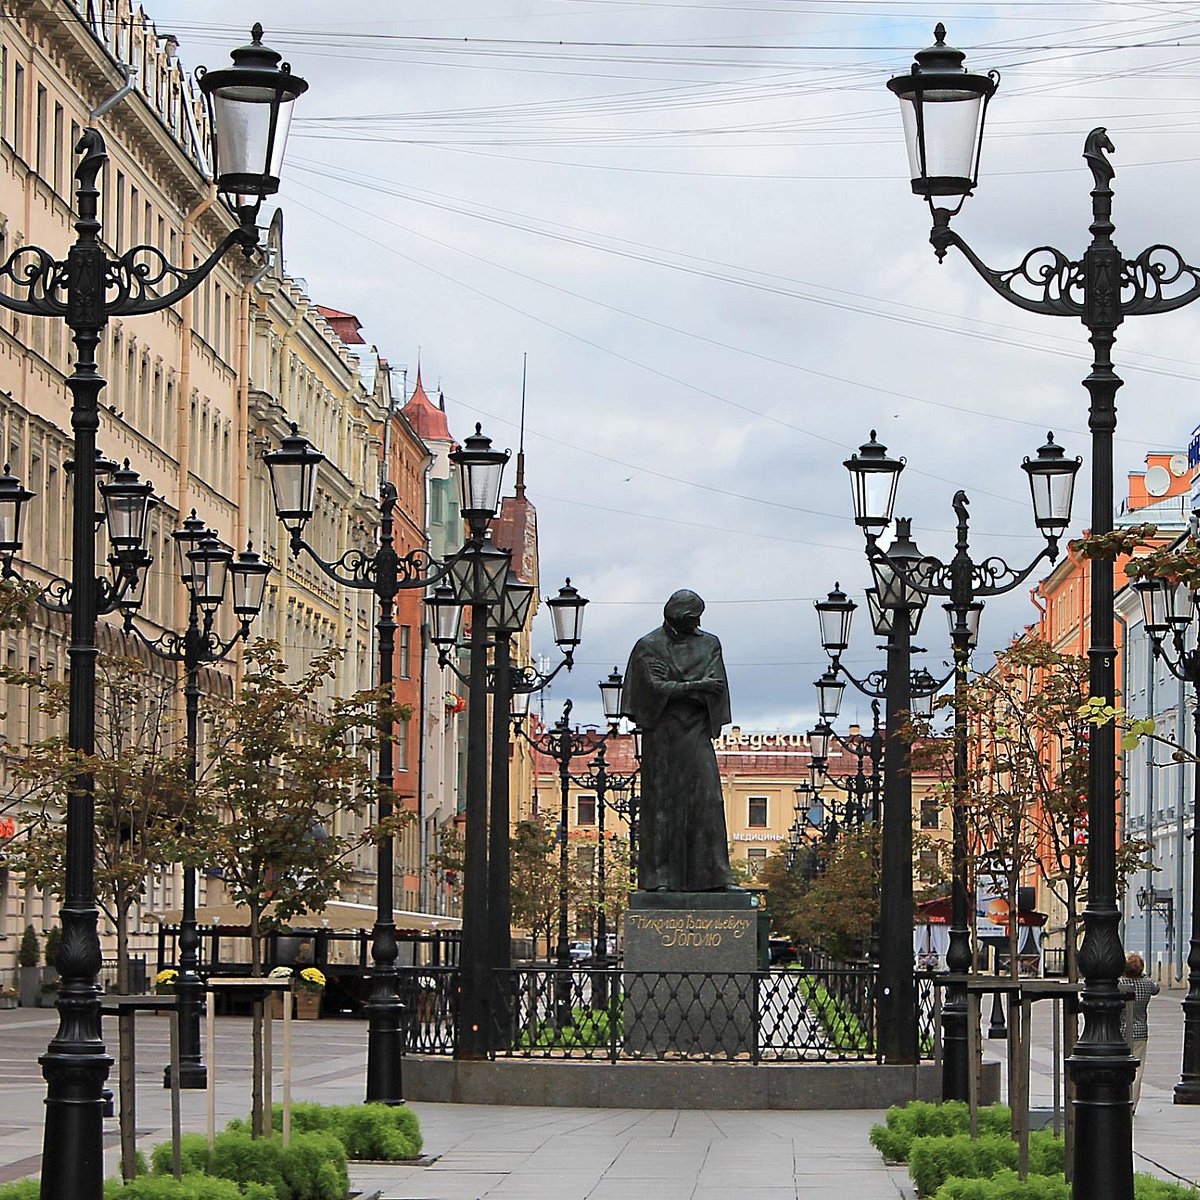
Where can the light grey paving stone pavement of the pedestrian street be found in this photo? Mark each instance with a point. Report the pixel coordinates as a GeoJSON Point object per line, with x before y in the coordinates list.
{"type": "Point", "coordinates": [532, 1154]}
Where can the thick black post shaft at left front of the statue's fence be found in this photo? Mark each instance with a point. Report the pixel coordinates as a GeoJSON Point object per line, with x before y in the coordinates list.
{"type": "Point", "coordinates": [472, 1041]}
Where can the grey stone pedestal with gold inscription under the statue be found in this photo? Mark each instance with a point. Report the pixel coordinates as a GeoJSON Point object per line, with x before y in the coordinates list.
{"type": "Point", "coordinates": [692, 974]}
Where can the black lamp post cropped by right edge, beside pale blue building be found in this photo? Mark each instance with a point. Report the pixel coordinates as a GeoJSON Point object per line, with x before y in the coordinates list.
{"type": "Point", "coordinates": [1169, 609]}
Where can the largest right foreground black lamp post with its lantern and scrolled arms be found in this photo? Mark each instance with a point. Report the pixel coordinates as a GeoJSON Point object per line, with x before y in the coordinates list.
{"type": "Point", "coordinates": [945, 109]}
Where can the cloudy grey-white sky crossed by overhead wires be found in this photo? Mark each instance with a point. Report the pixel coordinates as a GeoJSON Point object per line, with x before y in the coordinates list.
{"type": "Point", "coordinates": [695, 219]}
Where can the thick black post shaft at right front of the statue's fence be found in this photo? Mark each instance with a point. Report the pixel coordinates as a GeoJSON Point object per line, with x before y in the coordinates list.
{"type": "Point", "coordinates": [898, 989]}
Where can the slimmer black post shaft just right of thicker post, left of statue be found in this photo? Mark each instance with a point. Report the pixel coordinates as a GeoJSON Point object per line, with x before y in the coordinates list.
{"type": "Point", "coordinates": [500, 899]}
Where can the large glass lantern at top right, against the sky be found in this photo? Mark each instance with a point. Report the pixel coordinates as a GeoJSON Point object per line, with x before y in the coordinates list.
{"type": "Point", "coordinates": [944, 109]}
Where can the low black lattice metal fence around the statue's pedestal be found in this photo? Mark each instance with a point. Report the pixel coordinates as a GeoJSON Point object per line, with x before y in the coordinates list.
{"type": "Point", "coordinates": [806, 1016]}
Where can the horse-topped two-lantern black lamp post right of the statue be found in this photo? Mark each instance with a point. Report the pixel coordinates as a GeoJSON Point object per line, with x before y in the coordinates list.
{"type": "Point", "coordinates": [965, 584]}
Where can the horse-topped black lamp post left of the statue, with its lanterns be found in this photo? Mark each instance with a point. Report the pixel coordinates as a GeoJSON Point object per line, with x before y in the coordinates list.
{"type": "Point", "coordinates": [386, 573]}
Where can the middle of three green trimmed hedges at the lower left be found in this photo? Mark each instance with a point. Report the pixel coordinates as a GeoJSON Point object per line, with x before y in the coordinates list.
{"type": "Point", "coordinates": [313, 1168]}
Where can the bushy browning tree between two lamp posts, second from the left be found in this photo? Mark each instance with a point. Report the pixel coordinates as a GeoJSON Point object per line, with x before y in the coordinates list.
{"type": "Point", "coordinates": [281, 776]}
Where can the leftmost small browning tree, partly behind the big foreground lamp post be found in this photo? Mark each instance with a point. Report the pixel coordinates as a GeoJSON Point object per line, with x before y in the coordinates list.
{"type": "Point", "coordinates": [142, 793]}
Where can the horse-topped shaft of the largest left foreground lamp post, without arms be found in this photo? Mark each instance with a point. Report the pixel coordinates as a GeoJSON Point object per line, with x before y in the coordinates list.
{"type": "Point", "coordinates": [75, 1064]}
